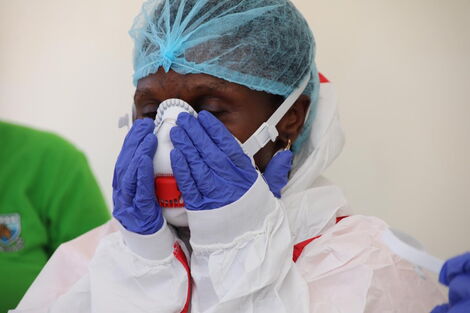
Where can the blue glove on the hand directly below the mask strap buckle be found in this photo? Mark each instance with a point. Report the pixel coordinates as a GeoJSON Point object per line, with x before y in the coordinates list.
{"type": "Point", "coordinates": [209, 165]}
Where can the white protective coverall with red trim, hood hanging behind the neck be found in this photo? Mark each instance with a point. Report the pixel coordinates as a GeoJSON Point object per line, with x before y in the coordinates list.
{"type": "Point", "coordinates": [242, 255]}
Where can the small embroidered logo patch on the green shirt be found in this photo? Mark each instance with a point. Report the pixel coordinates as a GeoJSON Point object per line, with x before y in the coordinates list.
{"type": "Point", "coordinates": [10, 230]}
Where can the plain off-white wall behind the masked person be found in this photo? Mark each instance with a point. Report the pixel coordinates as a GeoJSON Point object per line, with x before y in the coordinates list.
{"type": "Point", "coordinates": [401, 68]}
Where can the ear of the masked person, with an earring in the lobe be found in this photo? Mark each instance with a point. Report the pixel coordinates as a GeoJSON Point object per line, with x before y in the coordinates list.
{"type": "Point", "coordinates": [291, 124]}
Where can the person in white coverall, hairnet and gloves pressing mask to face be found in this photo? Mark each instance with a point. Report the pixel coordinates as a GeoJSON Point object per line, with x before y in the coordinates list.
{"type": "Point", "coordinates": [261, 229]}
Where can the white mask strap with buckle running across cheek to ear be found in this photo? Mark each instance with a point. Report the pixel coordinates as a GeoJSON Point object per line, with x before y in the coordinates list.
{"type": "Point", "coordinates": [267, 131]}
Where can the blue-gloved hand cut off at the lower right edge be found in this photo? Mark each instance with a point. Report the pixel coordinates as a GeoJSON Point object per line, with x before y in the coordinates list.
{"type": "Point", "coordinates": [456, 275]}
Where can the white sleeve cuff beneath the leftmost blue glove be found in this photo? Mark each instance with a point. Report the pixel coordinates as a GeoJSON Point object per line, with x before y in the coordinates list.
{"type": "Point", "coordinates": [157, 246]}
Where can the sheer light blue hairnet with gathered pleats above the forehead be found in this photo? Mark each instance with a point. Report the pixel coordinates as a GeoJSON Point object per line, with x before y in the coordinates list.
{"type": "Point", "coordinates": [265, 45]}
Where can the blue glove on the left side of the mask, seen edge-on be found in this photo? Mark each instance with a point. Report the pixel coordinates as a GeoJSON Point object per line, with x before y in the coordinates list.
{"type": "Point", "coordinates": [135, 204]}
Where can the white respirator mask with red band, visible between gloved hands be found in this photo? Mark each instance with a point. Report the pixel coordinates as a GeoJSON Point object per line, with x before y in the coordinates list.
{"type": "Point", "coordinates": [168, 195]}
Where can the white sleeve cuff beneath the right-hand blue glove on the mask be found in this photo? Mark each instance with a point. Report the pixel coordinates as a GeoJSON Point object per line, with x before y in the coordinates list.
{"type": "Point", "coordinates": [223, 225]}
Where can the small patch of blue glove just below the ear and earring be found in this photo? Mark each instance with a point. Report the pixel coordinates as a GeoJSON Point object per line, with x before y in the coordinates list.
{"type": "Point", "coordinates": [276, 173]}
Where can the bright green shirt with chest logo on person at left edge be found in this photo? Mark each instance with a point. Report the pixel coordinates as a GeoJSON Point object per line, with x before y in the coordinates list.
{"type": "Point", "coordinates": [48, 195]}
